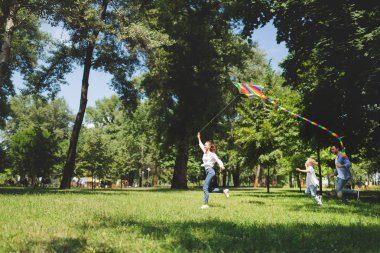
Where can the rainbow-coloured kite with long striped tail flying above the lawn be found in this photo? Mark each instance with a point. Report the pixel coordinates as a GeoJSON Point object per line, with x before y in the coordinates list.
{"type": "Point", "coordinates": [254, 91]}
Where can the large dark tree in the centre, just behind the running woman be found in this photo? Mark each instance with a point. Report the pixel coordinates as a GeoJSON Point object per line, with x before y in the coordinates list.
{"type": "Point", "coordinates": [193, 73]}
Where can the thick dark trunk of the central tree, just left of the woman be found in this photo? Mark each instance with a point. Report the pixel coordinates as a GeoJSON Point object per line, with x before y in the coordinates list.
{"type": "Point", "coordinates": [179, 180]}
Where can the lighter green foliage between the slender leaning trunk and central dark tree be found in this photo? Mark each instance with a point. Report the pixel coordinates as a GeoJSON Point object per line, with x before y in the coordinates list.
{"type": "Point", "coordinates": [132, 139]}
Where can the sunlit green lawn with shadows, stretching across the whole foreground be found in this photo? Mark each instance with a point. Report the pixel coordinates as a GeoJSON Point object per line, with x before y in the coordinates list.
{"type": "Point", "coordinates": [162, 220]}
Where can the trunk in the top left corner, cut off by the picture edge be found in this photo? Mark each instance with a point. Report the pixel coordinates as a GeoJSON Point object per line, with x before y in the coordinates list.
{"type": "Point", "coordinates": [9, 13]}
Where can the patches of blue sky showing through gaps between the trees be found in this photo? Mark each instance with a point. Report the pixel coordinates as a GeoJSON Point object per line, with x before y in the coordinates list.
{"type": "Point", "coordinates": [99, 81]}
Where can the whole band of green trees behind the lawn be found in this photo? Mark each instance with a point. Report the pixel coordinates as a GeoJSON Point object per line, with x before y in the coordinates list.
{"type": "Point", "coordinates": [190, 53]}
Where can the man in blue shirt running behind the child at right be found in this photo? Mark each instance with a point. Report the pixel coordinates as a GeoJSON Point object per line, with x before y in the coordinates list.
{"type": "Point", "coordinates": [343, 173]}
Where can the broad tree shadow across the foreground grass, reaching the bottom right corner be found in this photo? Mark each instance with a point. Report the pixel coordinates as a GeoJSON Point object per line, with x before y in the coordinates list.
{"type": "Point", "coordinates": [222, 236]}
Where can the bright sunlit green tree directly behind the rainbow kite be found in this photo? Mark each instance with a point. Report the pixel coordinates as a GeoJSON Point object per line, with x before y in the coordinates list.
{"type": "Point", "coordinates": [261, 136]}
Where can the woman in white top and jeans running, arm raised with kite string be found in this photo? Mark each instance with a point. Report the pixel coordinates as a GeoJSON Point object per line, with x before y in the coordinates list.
{"type": "Point", "coordinates": [209, 159]}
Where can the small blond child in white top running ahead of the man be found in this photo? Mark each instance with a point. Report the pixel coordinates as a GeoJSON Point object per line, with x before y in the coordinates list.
{"type": "Point", "coordinates": [311, 180]}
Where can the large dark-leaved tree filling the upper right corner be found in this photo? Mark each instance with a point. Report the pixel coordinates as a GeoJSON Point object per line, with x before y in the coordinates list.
{"type": "Point", "coordinates": [333, 57]}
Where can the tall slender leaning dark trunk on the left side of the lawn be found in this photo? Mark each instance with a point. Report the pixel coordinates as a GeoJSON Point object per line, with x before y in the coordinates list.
{"type": "Point", "coordinates": [71, 154]}
